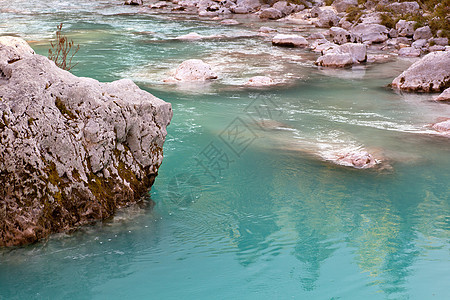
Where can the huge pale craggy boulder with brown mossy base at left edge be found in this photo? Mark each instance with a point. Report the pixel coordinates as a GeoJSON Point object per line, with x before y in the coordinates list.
{"type": "Point", "coordinates": [72, 150]}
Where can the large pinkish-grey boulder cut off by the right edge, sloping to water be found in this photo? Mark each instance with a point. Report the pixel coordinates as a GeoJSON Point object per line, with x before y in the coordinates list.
{"type": "Point", "coordinates": [430, 74]}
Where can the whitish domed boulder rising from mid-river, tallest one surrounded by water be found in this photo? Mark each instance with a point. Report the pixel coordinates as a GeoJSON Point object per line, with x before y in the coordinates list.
{"type": "Point", "coordinates": [194, 70]}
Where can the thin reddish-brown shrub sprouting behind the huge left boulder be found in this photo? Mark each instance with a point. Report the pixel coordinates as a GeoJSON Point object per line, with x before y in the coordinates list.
{"type": "Point", "coordinates": [62, 50]}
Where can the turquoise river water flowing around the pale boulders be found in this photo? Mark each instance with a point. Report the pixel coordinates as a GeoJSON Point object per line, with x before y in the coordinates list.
{"type": "Point", "coordinates": [269, 220]}
